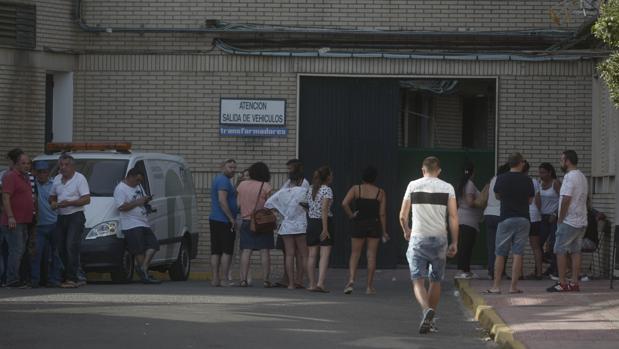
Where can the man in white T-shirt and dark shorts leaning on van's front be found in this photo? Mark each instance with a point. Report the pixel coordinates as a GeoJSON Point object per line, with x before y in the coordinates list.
{"type": "Point", "coordinates": [130, 199]}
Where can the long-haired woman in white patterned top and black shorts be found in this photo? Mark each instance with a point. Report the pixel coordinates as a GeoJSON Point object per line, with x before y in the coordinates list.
{"type": "Point", "coordinates": [319, 227]}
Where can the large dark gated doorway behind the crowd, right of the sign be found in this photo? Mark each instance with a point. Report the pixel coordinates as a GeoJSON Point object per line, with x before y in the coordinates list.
{"type": "Point", "coordinates": [393, 123]}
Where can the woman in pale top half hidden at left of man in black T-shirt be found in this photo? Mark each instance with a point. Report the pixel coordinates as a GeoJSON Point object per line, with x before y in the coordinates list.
{"type": "Point", "coordinates": [492, 217]}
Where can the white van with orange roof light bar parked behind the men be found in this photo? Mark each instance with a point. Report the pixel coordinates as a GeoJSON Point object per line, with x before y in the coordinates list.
{"type": "Point", "coordinates": [173, 217]}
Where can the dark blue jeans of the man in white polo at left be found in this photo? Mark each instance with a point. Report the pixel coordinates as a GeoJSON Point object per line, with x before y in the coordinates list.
{"type": "Point", "coordinates": [68, 234]}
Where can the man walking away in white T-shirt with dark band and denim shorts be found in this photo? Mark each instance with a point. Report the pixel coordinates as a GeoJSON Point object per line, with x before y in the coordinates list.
{"type": "Point", "coordinates": [430, 200]}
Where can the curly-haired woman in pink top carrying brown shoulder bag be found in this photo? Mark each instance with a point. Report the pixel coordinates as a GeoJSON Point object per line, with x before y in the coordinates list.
{"type": "Point", "coordinates": [252, 194]}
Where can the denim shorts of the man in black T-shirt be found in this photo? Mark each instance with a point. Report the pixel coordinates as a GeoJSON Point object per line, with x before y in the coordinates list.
{"type": "Point", "coordinates": [512, 233]}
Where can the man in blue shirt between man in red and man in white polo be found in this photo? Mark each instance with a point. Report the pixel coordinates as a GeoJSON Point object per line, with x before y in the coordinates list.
{"type": "Point", "coordinates": [46, 224]}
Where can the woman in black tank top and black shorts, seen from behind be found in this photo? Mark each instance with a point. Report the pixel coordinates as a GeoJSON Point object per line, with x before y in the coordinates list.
{"type": "Point", "coordinates": [368, 224]}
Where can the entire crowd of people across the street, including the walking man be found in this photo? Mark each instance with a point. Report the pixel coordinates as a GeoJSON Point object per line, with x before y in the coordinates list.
{"type": "Point", "coordinates": [516, 209]}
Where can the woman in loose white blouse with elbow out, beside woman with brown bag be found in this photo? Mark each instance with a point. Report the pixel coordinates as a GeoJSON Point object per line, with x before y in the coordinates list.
{"type": "Point", "coordinates": [288, 202]}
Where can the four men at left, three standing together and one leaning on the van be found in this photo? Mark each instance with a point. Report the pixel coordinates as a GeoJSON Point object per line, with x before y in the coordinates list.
{"type": "Point", "coordinates": [42, 223]}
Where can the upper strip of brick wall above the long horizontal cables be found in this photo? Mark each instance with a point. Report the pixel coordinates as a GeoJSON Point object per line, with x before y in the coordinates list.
{"type": "Point", "coordinates": [451, 15]}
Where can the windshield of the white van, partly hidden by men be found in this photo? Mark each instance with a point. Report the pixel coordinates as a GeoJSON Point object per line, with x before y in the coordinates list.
{"type": "Point", "coordinates": [102, 174]}
